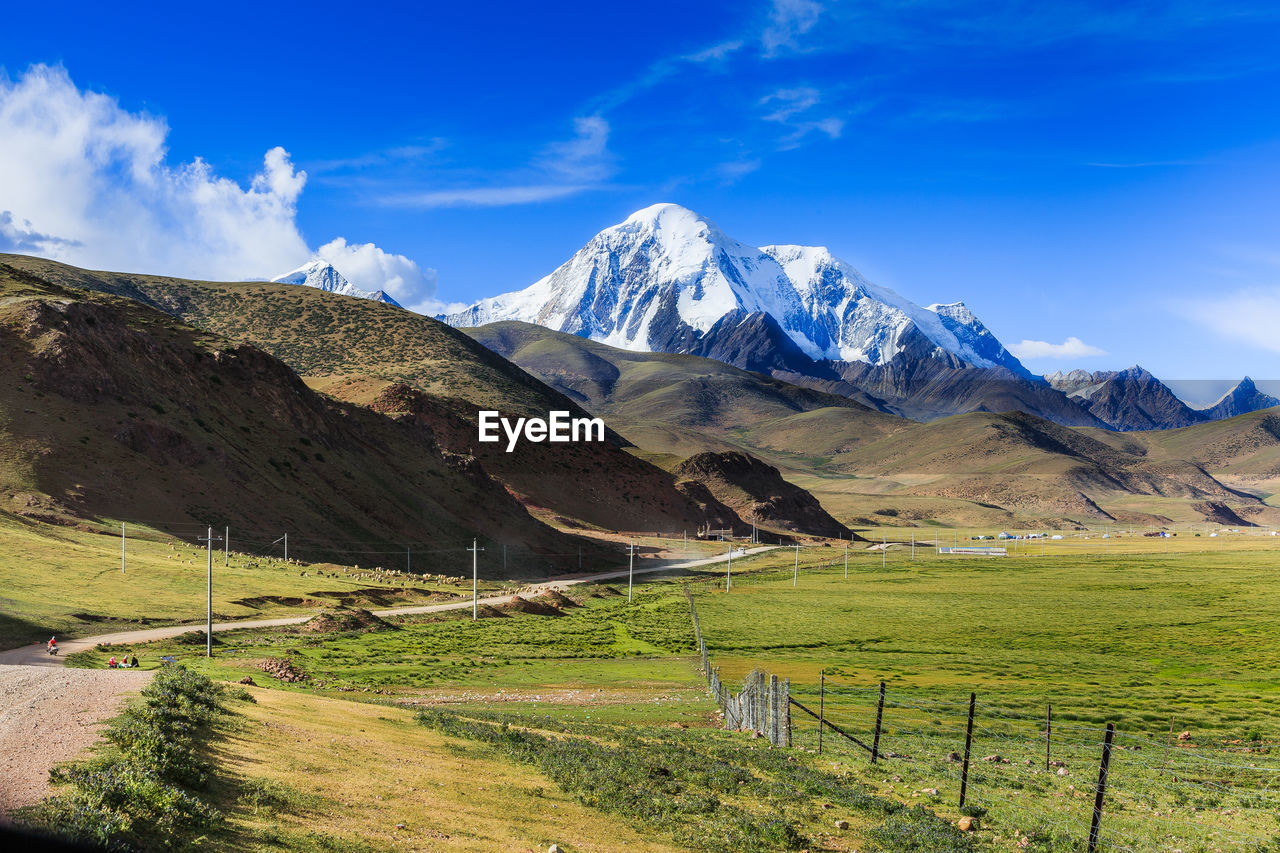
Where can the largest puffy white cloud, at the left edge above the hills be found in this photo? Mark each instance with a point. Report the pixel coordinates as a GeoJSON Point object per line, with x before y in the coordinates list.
{"type": "Point", "coordinates": [88, 183]}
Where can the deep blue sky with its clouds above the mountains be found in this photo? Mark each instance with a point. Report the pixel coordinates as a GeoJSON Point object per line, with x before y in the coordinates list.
{"type": "Point", "coordinates": [1101, 172]}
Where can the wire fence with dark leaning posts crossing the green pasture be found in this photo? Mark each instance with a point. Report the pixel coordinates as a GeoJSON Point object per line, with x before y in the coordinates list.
{"type": "Point", "coordinates": [1034, 779]}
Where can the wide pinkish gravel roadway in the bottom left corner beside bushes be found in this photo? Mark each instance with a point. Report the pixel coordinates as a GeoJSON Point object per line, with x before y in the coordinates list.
{"type": "Point", "coordinates": [51, 715]}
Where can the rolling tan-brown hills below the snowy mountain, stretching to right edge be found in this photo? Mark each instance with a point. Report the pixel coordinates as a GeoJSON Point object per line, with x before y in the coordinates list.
{"type": "Point", "coordinates": [985, 468]}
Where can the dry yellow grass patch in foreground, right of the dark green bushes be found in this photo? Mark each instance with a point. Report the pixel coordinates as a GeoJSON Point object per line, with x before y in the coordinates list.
{"type": "Point", "coordinates": [360, 770]}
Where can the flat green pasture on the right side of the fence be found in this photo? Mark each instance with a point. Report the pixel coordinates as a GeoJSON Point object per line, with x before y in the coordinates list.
{"type": "Point", "coordinates": [1144, 641]}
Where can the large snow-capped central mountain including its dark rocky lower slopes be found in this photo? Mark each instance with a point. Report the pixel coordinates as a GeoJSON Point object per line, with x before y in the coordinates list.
{"type": "Point", "coordinates": [671, 281]}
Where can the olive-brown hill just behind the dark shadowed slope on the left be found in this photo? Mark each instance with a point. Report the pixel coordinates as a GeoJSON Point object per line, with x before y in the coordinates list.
{"type": "Point", "coordinates": [368, 353]}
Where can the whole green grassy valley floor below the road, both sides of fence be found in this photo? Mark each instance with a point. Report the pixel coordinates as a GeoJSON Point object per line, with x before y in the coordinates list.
{"type": "Point", "coordinates": [1118, 631]}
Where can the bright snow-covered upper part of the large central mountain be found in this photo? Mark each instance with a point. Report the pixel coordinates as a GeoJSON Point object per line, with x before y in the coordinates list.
{"type": "Point", "coordinates": [668, 275]}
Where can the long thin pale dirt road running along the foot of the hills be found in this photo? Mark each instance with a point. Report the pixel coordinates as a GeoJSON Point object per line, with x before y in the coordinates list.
{"type": "Point", "coordinates": [38, 656]}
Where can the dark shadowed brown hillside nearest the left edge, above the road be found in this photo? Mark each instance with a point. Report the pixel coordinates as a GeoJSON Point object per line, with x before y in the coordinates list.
{"type": "Point", "coordinates": [112, 409]}
